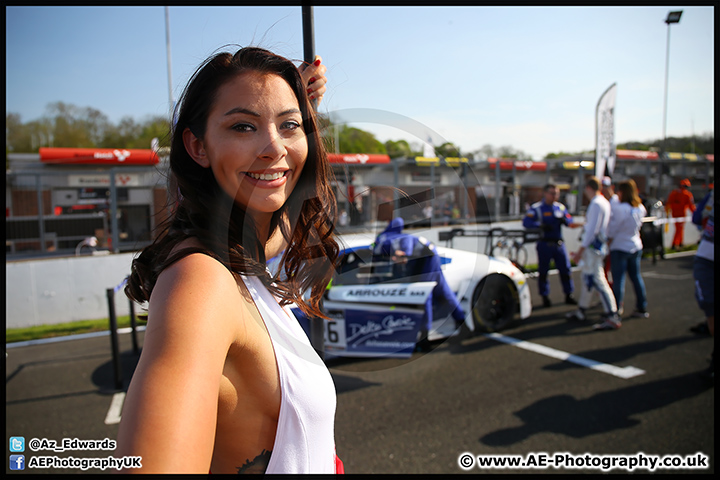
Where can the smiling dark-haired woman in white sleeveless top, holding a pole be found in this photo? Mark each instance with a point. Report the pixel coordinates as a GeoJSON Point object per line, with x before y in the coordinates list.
{"type": "Point", "coordinates": [227, 380]}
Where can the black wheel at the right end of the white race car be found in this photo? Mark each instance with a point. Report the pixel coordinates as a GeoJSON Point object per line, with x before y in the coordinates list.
{"type": "Point", "coordinates": [495, 302]}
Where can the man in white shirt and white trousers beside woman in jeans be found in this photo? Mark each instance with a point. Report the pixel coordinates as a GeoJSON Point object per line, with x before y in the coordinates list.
{"type": "Point", "coordinates": [593, 249]}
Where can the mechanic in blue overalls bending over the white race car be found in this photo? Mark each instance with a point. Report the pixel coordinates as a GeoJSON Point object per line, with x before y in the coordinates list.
{"type": "Point", "coordinates": [394, 244]}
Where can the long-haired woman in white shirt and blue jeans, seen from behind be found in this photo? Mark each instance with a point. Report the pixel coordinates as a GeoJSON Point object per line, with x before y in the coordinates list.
{"type": "Point", "coordinates": [626, 246]}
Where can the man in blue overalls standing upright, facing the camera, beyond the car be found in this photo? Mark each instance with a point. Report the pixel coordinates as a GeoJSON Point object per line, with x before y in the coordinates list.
{"type": "Point", "coordinates": [549, 215]}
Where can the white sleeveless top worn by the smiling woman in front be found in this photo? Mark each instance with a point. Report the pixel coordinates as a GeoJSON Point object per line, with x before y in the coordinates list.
{"type": "Point", "coordinates": [305, 437]}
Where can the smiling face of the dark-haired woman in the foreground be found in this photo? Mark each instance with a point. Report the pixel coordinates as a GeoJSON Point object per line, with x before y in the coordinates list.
{"type": "Point", "coordinates": [254, 142]}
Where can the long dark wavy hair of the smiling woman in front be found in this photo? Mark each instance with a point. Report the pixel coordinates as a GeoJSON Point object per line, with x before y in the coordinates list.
{"type": "Point", "coordinates": [204, 211]}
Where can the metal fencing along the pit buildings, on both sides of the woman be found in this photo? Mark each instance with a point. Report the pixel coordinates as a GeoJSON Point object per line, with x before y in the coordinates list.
{"type": "Point", "coordinates": [58, 212]}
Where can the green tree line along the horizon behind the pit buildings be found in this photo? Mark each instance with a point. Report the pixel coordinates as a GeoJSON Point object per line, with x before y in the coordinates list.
{"type": "Point", "coordinates": [67, 125]}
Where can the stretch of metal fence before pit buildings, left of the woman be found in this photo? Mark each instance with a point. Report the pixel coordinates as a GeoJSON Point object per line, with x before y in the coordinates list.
{"type": "Point", "coordinates": [55, 213]}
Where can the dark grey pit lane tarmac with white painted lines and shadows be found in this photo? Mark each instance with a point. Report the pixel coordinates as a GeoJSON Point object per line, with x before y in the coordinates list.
{"type": "Point", "coordinates": [477, 395]}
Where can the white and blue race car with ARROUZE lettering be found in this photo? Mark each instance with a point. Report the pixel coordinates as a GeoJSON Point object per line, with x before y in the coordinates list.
{"type": "Point", "coordinates": [377, 305]}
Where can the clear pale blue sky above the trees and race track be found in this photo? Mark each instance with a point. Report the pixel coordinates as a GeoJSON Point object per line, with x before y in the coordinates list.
{"type": "Point", "coordinates": [525, 77]}
